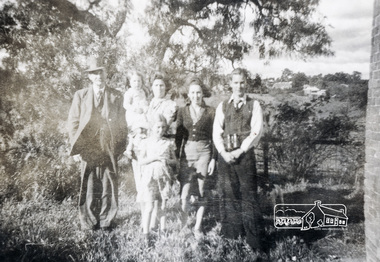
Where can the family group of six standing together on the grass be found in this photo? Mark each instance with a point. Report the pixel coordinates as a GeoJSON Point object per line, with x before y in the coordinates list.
{"type": "Point", "coordinates": [166, 143]}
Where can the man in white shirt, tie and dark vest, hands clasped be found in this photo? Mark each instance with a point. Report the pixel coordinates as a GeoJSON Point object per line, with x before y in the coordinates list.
{"type": "Point", "coordinates": [237, 128]}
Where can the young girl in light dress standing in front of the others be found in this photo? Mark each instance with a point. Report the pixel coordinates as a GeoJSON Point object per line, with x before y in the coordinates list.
{"type": "Point", "coordinates": [159, 156]}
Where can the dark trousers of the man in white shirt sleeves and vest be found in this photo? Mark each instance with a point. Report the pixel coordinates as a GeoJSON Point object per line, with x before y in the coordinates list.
{"type": "Point", "coordinates": [239, 210]}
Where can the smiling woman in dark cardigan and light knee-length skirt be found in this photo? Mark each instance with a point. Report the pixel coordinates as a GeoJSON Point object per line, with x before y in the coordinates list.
{"type": "Point", "coordinates": [195, 150]}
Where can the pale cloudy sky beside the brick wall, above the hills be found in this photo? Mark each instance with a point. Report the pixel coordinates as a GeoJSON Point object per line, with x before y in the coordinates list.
{"type": "Point", "coordinates": [349, 23]}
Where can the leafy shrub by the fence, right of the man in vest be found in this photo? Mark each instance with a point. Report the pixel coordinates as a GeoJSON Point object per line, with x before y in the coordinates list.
{"type": "Point", "coordinates": [298, 139]}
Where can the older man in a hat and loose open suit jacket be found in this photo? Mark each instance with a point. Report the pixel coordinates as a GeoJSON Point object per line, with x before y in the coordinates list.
{"type": "Point", "coordinates": [97, 131]}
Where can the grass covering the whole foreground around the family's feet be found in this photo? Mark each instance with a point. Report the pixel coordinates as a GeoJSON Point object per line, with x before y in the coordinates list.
{"type": "Point", "coordinates": [41, 229]}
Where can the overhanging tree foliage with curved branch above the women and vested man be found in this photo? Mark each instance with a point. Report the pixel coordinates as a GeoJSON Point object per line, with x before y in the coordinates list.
{"type": "Point", "coordinates": [181, 31]}
